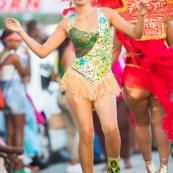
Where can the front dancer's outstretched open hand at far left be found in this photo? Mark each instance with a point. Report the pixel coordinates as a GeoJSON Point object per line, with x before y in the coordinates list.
{"type": "Point", "coordinates": [13, 25]}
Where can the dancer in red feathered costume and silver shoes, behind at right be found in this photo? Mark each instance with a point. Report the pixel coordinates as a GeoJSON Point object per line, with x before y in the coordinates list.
{"type": "Point", "coordinates": [148, 77]}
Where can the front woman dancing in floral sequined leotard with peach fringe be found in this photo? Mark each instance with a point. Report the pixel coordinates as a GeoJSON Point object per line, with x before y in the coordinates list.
{"type": "Point", "coordinates": [89, 82]}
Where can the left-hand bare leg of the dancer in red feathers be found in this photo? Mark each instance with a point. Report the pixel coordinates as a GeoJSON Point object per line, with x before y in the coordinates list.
{"type": "Point", "coordinates": [138, 102]}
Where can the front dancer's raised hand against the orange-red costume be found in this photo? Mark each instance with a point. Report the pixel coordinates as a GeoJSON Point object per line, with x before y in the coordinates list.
{"type": "Point", "coordinates": [143, 7]}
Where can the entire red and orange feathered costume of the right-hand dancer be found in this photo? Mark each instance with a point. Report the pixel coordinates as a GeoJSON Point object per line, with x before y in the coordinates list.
{"type": "Point", "coordinates": [149, 63]}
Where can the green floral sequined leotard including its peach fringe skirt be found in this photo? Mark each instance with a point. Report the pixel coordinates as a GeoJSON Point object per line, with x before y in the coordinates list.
{"type": "Point", "coordinates": [90, 73]}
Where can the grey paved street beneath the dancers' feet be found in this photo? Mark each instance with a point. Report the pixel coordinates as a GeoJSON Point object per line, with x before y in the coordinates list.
{"type": "Point", "coordinates": [137, 161]}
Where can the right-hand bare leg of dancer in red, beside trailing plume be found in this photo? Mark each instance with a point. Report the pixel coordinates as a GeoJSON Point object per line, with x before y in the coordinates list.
{"type": "Point", "coordinates": [157, 113]}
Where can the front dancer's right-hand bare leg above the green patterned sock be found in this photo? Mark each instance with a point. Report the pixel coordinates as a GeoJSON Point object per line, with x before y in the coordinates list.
{"type": "Point", "coordinates": [105, 107]}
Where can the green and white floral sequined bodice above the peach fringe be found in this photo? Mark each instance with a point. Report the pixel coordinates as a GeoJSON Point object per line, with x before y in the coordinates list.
{"type": "Point", "coordinates": [93, 49]}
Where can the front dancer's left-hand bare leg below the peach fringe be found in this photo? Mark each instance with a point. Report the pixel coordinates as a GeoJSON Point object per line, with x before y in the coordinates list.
{"type": "Point", "coordinates": [82, 109]}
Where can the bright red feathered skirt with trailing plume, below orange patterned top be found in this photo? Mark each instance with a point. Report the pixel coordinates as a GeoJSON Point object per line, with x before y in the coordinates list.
{"type": "Point", "coordinates": [150, 66]}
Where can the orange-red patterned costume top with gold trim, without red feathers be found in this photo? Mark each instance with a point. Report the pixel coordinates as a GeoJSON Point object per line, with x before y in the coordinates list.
{"type": "Point", "coordinates": [159, 12]}
